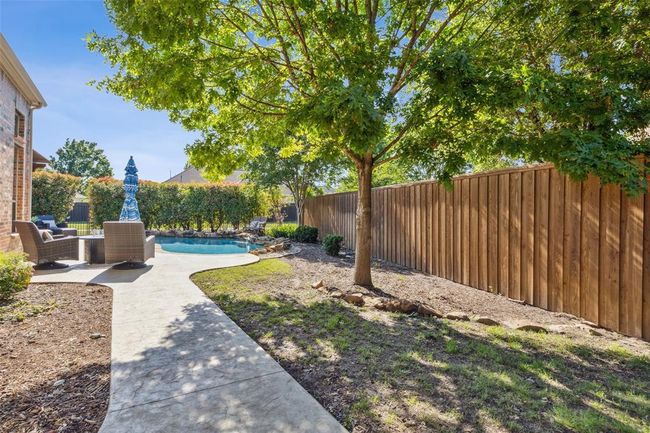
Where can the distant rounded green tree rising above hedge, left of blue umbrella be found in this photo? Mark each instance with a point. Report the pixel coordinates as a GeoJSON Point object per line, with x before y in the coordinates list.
{"type": "Point", "coordinates": [81, 158]}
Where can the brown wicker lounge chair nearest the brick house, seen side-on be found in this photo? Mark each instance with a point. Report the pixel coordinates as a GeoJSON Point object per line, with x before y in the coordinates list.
{"type": "Point", "coordinates": [45, 253]}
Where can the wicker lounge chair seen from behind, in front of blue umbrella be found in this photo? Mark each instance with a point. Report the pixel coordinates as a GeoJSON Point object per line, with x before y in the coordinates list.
{"type": "Point", "coordinates": [125, 242]}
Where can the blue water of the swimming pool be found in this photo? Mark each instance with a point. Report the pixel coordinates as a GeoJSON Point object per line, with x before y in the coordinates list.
{"type": "Point", "coordinates": [205, 245]}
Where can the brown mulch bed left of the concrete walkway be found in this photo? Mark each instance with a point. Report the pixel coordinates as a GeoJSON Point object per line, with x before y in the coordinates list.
{"type": "Point", "coordinates": [55, 346]}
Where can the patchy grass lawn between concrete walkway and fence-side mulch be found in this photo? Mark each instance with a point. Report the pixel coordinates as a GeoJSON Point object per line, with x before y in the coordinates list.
{"type": "Point", "coordinates": [386, 372]}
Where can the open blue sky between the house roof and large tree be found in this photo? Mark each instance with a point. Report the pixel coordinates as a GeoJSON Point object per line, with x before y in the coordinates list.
{"type": "Point", "coordinates": [48, 38]}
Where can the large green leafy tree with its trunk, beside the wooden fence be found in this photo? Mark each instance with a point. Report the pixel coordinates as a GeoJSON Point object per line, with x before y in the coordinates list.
{"type": "Point", "coordinates": [425, 82]}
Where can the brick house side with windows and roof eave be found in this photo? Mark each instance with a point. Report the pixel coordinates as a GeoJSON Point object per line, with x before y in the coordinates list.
{"type": "Point", "coordinates": [19, 97]}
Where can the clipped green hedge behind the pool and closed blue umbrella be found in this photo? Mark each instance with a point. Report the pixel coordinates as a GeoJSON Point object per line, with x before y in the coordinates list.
{"type": "Point", "coordinates": [178, 206]}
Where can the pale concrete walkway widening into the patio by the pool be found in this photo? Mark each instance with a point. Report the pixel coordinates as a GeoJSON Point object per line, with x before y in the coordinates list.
{"type": "Point", "coordinates": [179, 364]}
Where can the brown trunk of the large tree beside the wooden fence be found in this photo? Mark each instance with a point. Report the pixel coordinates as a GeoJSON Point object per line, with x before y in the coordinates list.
{"type": "Point", "coordinates": [363, 247]}
